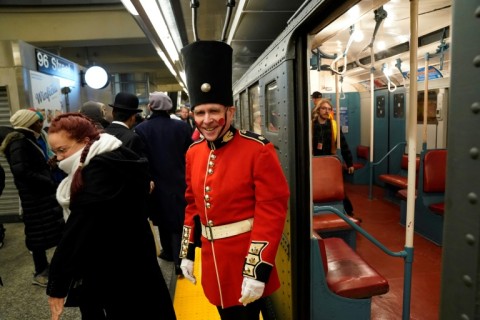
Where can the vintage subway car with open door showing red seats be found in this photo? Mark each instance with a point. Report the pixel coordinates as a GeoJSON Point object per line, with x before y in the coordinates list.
{"type": "Point", "coordinates": [403, 79]}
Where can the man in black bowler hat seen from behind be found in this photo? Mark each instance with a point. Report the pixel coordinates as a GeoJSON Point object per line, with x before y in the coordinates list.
{"type": "Point", "coordinates": [125, 109]}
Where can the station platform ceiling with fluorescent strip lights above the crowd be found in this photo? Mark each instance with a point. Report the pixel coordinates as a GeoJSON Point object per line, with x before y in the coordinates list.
{"type": "Point", "coordinates": [103, 32]}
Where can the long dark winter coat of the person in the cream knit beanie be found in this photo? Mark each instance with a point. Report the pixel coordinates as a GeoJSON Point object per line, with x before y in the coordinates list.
{"type": "Point", "coordinates": [41, 212]}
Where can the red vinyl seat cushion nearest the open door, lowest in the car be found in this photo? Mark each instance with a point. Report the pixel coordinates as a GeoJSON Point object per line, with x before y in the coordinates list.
{"type": "Point", "coordinates": [347, 274]}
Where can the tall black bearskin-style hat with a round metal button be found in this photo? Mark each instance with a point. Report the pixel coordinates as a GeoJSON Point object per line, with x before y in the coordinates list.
{"type": "Point", "coordinates": [208, 68]}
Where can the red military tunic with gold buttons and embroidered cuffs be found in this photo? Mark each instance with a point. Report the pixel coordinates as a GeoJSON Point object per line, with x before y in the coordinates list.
{"type": "Point", "coordinates": [232, 179]}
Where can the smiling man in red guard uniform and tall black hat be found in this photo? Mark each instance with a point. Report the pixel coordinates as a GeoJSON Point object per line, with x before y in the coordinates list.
{"type": "Point", "coordinates": [236, 185]}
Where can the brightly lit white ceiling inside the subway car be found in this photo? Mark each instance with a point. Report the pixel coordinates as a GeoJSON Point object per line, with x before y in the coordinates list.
{"type": "Point", "coordinates": [384, 27]}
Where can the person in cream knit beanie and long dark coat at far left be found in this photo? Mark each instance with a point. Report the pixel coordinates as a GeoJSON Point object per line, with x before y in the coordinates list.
{"type": "Point", "coordinates": [42, 214]}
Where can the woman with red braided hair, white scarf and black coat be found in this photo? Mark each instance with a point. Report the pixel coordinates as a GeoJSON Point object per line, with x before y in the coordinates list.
{"type": "Point", "coordinates": [106, 261]}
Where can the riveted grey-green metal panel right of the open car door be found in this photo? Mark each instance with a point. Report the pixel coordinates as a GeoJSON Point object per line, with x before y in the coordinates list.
{"type": "Point", "coordinates": [461, 255]}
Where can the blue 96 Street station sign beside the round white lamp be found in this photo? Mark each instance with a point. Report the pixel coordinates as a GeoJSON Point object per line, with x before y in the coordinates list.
{"type": "Point", "coordinates": [54, 65]}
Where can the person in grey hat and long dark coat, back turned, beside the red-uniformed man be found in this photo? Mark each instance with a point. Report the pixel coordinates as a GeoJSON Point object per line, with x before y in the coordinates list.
{"type": "Point", "coordinates": [166, 140]}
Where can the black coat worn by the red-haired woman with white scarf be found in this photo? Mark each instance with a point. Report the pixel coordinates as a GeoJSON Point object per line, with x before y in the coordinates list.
{"type": "Point", "coordinates": [108, 242]}
